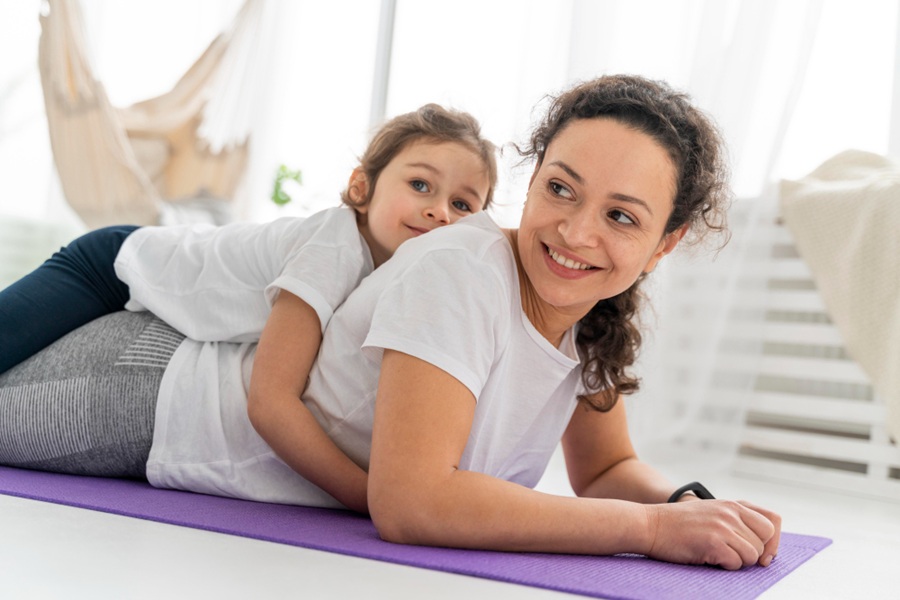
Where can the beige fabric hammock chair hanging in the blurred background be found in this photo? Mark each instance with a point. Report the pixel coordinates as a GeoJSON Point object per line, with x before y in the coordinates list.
{"type": "Point", "coordinates": [178, 157]}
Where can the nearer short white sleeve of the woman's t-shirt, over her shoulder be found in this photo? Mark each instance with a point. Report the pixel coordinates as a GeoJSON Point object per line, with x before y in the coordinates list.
{"type": "Point", "coordinates": [450, 309]}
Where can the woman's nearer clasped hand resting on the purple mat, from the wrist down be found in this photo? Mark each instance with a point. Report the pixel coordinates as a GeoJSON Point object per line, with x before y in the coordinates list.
{"type": "Point", "coordinates": [716, 532]}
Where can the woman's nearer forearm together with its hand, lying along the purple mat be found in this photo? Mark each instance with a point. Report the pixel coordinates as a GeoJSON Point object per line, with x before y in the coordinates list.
{"type": "Point", "coordinates": [471, 510]}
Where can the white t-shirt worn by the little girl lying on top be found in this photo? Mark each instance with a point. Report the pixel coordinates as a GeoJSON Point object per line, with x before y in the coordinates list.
{"type": "Point", "coordinates": [219, 283]}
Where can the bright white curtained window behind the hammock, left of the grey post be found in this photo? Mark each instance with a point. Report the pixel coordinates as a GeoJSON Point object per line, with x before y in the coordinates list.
{"type": "Point", "coordinates": [315, 78]}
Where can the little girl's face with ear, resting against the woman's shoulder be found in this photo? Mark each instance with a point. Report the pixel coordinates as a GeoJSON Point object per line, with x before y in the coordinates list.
{"type": "Point", "coordinates": [426, 185]}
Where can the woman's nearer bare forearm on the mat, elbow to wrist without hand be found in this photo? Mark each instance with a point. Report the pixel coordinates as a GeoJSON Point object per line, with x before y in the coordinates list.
{"type": "Point", "coordinates": [473, 510]}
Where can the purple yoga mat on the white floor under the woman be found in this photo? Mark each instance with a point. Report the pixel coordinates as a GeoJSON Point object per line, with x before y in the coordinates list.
{"type": "Point", "coordinates": [613, 577]}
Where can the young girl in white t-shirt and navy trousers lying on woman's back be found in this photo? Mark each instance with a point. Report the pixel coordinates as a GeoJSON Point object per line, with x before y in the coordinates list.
{"type": "Point", "coordinates": [277, 283]}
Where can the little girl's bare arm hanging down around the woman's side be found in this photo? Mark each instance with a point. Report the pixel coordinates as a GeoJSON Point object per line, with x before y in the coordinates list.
{"type": "Point", "coordinates": [287, 348]}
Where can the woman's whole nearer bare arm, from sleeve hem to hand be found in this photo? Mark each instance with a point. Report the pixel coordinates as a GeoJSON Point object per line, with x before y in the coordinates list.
{"type": "Point", "coordinates": [418, 495]}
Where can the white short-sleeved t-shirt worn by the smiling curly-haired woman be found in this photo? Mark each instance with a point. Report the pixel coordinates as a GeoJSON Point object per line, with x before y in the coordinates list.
{"type": "Point", "coordinates": [450, 298]}
